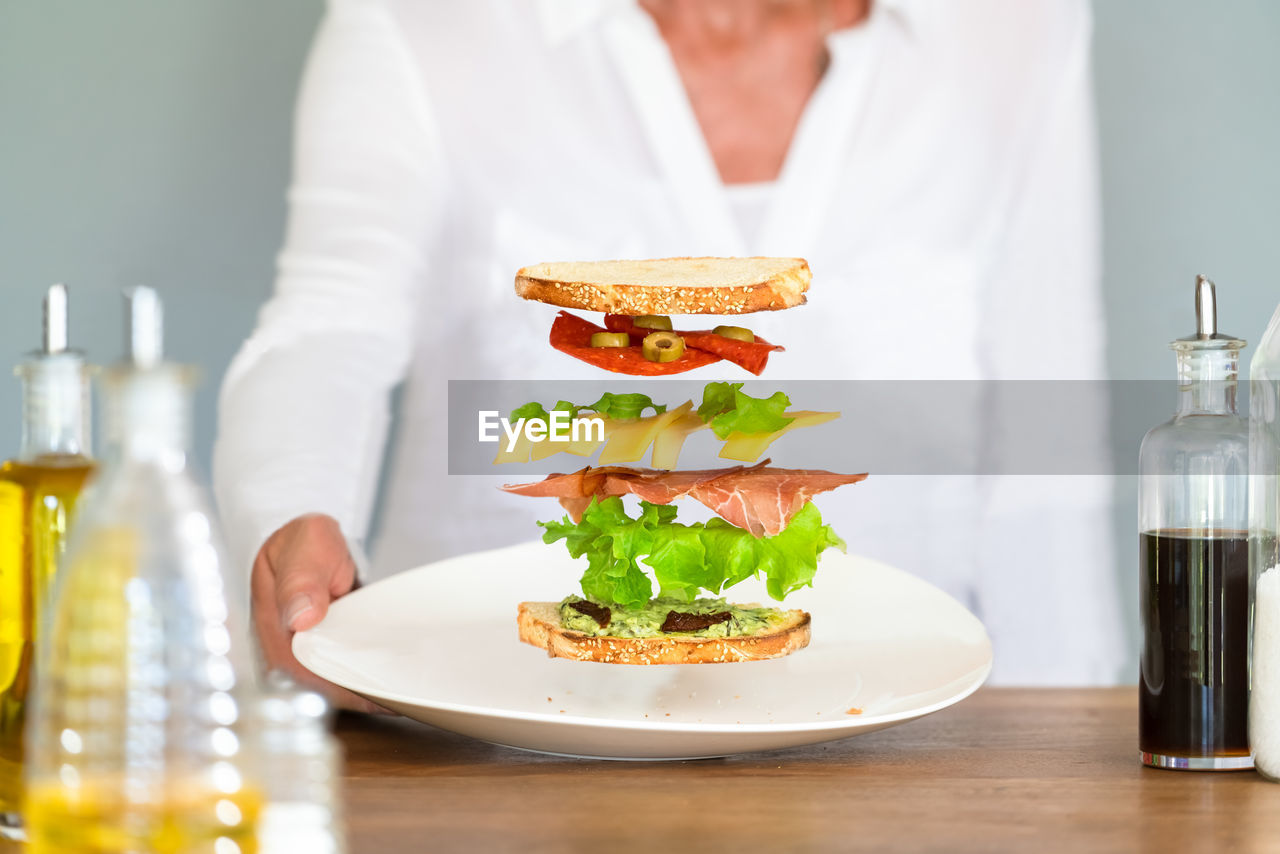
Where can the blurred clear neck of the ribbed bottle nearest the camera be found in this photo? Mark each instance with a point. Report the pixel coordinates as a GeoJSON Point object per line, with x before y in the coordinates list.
{"type": "Point", "coordinates": [148, 415]}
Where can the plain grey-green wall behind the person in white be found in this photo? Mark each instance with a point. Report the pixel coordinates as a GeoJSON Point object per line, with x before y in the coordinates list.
{"type": "Point", "coordinates": [148, 143]}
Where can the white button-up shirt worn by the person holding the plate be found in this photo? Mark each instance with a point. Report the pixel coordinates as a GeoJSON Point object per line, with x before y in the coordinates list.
{"type": "Point", "coordinates": [941, 184]}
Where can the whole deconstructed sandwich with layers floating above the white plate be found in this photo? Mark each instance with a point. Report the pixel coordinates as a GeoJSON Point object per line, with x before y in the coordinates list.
{"type": "Point", "coordinates": [766, 524]}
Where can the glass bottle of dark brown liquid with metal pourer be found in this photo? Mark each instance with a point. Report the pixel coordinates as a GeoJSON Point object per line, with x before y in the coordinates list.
{"type": "Point", "coordinates": [1194, 554]}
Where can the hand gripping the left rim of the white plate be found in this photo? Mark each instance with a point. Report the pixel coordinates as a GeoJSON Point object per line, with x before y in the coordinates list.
{"type": "Point", "coordinates": [299, 572]}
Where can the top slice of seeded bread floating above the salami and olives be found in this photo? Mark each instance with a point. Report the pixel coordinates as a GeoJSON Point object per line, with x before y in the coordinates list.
{"type": "Point", "coordinates": [724, 286]}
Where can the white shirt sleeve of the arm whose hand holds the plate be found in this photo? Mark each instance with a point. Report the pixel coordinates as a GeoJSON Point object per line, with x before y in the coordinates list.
{"type": "Point", "coordinates": [305, 405]}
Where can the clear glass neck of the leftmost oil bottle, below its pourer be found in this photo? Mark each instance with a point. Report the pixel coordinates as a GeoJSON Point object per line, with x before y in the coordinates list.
{"type": "Point", "coordinates": [54, 407]}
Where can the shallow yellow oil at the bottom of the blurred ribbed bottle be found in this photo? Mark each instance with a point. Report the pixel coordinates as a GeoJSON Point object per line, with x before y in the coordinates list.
{"type": "Point", "coordinates": [99, 819]}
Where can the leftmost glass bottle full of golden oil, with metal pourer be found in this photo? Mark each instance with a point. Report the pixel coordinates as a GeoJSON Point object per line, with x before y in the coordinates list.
{"type": "Point", "coordinates": [38, 500]}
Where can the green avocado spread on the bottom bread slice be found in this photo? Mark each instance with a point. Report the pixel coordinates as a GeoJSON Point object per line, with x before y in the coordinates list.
{"type": "Point", "coordinates": [647, 620]}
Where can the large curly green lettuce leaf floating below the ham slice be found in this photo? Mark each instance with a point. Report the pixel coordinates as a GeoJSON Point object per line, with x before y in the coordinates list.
{"type": "Point", "coordinates": [687, 559]}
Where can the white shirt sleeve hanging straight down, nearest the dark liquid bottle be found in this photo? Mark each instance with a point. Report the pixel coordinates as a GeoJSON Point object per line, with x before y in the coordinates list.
{"type": "Point", "coordinates": [1048, 586]}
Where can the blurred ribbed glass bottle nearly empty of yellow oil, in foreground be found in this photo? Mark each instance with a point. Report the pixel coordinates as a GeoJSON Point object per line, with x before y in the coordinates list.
{"type": "Point", "coordinates": [136, 728]}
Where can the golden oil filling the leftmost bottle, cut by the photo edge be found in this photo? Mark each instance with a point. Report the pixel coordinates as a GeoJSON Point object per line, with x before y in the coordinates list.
{"type": "Point", "coordinates": [38, 500]}
